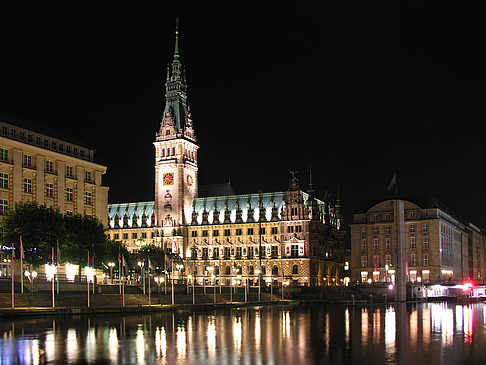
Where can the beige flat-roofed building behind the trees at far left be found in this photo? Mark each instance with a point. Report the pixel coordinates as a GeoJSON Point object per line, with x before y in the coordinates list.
{"type": "Point", "coordinates": [39, 165]}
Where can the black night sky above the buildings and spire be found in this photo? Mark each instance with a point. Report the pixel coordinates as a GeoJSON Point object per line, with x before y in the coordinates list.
{"type": "Point", "coordinates": [357, 91]}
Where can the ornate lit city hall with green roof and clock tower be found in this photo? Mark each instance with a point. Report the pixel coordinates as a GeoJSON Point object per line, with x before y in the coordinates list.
{"type": "Point", "coordinates": [288, 236]}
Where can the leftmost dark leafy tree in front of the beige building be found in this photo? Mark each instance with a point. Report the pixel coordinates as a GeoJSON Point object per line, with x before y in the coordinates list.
{"type": "Point", "coordinates": [39, 226]}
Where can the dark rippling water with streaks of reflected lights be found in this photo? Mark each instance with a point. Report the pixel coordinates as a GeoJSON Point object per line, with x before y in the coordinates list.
{"type": "Point", "coordinates": [431, 333]}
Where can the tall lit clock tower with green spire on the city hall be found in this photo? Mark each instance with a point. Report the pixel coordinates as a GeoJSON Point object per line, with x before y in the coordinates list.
{"type": "Point", "coordinates": [175, 158]}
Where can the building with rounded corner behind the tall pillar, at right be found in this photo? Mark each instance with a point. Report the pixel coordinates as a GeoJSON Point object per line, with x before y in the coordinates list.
{"type": "Point", "coordinates": [439, 246]}
